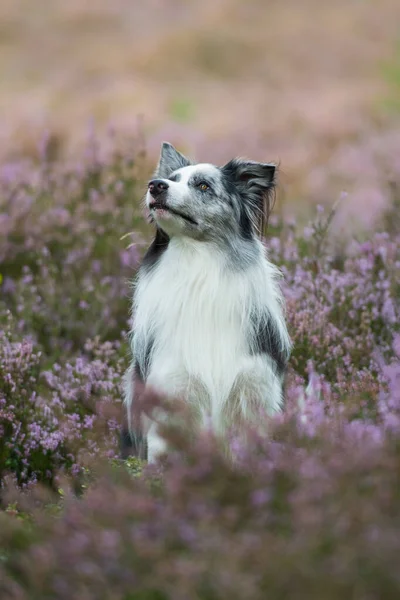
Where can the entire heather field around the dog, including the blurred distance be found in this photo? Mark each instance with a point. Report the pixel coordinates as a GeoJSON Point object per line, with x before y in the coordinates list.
{"type": "Point", "coordinates": [87, 94]}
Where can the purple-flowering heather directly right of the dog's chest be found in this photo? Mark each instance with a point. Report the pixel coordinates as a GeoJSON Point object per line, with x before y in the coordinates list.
{"type": "Point", "coordinates": [342, 304]}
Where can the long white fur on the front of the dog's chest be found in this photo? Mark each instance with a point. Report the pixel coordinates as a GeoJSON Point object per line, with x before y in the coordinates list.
{"type": "Point", "coordinates": [194, 312]}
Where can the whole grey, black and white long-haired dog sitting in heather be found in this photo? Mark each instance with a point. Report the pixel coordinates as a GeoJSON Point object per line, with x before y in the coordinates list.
{"type": "Point", "coordinates": [208, 313]}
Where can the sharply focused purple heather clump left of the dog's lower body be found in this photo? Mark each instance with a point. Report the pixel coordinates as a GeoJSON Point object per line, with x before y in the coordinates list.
{"type": "Point", "coordinates": [48, 416]}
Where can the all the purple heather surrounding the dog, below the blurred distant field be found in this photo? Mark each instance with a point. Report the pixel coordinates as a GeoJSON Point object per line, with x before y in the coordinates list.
{"type": "Point", "coordinates": [312, 511]}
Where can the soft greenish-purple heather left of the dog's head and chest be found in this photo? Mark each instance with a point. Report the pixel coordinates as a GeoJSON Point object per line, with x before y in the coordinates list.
{"type": "Point", "coordinates": [61, 252]}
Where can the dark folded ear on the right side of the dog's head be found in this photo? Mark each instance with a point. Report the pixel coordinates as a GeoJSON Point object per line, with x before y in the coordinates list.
{"type": "Point", "coordinates": [256, 184]}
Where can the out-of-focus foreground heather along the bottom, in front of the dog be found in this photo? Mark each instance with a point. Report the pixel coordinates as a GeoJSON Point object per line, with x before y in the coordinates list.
{"type": "Point", "coordinates": [311, 513]}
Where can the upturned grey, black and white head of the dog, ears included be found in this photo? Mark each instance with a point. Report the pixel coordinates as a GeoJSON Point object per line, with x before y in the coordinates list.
{"type": "Point", "coordinates": [203, 201]}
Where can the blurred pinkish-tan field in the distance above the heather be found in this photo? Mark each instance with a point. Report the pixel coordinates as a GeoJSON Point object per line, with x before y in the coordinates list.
{"type": "Point", "coordinates": [314, 85]}
